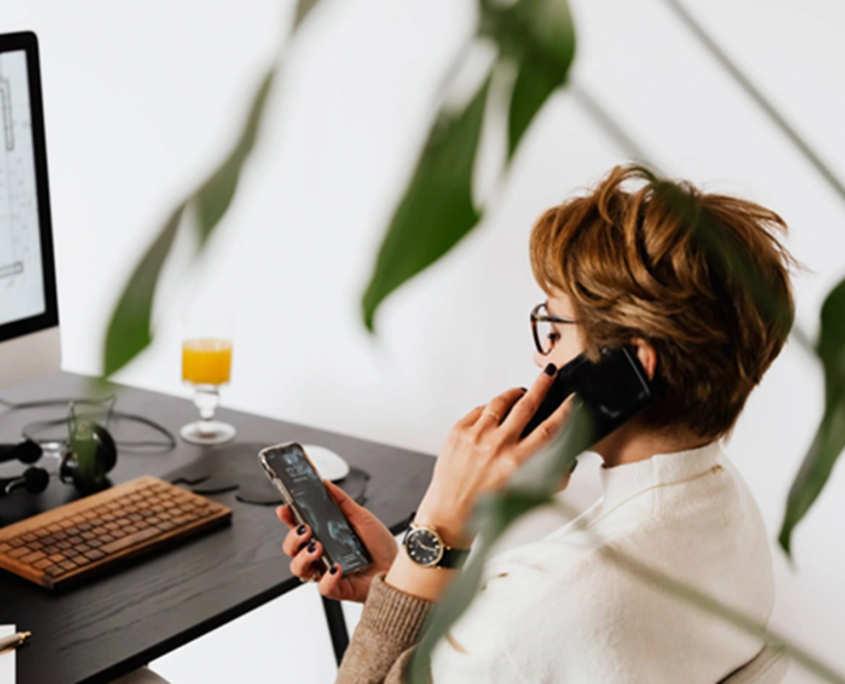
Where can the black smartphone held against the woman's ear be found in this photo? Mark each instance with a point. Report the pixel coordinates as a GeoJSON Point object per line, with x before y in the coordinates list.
{"type": "Point", "coordinates": [614, 388]}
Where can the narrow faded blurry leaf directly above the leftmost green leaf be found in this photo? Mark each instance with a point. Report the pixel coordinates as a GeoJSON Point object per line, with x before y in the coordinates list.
{"type": "Point", "coordinates": [215, 195]}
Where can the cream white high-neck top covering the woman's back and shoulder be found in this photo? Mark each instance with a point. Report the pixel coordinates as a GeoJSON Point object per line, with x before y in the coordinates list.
{"type": "Point", "coordinates": [560, 610]}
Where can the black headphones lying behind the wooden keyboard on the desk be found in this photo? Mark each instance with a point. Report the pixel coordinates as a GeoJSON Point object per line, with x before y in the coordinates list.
{"type": "Point", "coordinates": [90, 454]}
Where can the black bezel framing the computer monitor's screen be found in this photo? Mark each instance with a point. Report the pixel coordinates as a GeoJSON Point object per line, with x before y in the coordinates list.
{"type": "Point", "coordinates": [28, 42]}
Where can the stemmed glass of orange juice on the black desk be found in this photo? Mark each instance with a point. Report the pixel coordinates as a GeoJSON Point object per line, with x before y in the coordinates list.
{"type": "Point", "coordinates": [207, 364]}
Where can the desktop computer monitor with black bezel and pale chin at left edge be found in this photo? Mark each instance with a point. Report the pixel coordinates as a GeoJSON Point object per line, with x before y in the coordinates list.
{"type": "Point", "coordinates": [29, 317]}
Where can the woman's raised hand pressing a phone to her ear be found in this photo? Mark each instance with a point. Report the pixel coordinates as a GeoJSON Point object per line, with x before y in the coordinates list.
{"type": "Point", "coordinates": [481, 452]}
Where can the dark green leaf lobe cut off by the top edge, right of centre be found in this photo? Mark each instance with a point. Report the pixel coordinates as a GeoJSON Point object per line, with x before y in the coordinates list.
{"type": "Point", "coordinates": [538, 35]}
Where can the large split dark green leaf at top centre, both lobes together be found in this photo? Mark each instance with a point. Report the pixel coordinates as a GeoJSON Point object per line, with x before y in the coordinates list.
{"type": "Point", "coordinates": [535, 36]}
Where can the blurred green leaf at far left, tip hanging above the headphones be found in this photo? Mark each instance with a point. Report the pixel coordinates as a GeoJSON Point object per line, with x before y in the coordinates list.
{"type": "Point", "coordinates": [129, 329]}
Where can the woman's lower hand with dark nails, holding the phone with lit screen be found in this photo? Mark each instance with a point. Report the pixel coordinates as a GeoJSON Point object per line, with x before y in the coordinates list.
{"type": "Point", "coordinates": [305, 552]}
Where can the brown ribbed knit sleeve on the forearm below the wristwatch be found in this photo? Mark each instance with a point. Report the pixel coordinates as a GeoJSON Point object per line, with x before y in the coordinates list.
{"type": "Point", "coordinates": [383, 643]}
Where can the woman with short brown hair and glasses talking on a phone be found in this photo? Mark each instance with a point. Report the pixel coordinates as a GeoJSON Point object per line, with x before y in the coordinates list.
{"type": "Point", "coordinates": [620, 266]}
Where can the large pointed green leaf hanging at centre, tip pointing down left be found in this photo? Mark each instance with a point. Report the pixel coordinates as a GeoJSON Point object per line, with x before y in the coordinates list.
{"type": "Point", "coordinates": [437, 209]}
